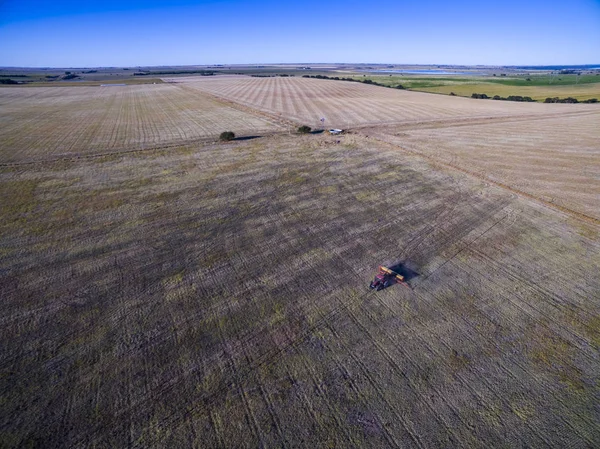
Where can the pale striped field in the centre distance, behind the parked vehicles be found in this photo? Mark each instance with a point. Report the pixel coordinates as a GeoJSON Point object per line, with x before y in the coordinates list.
{"type": "Point", "coordinates": [345, 104]}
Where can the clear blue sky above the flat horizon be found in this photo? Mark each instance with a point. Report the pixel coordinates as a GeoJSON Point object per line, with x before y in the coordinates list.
{"type": "Point", "coordinates": [94, 33]}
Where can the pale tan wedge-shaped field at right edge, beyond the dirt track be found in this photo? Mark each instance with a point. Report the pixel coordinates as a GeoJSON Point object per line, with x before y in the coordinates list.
{"type": "Point", "coordinates": [556, 160]}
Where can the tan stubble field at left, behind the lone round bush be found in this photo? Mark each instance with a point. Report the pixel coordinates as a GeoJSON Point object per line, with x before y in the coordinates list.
{"type": "Point", "coordinates": [48, 122]}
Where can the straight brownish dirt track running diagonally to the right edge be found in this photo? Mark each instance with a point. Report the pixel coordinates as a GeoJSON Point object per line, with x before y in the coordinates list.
{"type": "Point", "coordinates": [549, 204]}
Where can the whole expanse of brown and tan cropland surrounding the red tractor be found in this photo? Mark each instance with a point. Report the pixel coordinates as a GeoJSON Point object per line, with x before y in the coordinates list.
{"type": "Point", "coordinates": [210, 294]}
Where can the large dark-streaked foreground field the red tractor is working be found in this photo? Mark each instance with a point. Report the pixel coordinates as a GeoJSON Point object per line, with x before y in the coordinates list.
{"type": "Point", "coordinates": [216, 295]}
